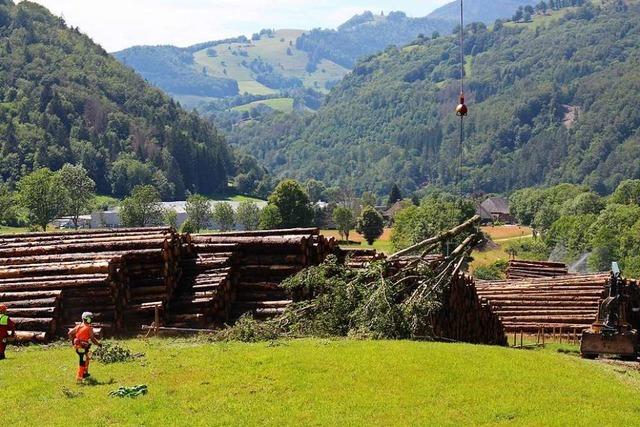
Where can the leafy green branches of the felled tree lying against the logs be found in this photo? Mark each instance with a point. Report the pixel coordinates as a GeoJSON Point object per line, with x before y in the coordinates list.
{"type": "Point", "coordinates": [367, 304]}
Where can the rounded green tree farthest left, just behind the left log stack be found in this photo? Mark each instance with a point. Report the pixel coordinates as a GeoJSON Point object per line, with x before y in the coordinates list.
{"type": "Point", "coordinates": [41, 193]}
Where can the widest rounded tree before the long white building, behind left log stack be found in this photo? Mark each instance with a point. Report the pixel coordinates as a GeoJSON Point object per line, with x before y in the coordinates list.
{"type": "Point", "coordinates": [143, 208]}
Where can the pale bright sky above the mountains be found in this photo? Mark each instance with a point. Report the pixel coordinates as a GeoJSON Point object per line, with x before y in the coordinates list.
{"type": "Point", "coordinates": [118, 24]}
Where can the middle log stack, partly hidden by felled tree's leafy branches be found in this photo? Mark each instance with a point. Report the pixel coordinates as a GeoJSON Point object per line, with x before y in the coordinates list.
{"type": "Point", "coordinates": [263, 259]}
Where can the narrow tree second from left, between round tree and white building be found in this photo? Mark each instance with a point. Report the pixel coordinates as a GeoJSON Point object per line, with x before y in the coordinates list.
{"type": "Point", "coordinates": [79, 189]}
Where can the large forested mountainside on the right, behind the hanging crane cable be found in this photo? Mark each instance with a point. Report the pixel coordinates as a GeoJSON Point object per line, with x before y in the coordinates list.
{"type": "Point", "coordinates": [551, 101]}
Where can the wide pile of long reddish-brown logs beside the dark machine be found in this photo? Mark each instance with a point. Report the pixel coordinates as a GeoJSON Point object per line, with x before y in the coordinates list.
{"type": "Point", "coordinates": [527, 305]}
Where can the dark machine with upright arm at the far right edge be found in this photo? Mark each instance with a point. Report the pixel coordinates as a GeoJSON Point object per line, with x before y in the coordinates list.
{"type": "Point", "coordinates": [612, 334]}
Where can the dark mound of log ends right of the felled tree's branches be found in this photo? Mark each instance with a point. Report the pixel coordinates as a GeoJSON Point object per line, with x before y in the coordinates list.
{"type": "Point", "coordinates": [464, 317]}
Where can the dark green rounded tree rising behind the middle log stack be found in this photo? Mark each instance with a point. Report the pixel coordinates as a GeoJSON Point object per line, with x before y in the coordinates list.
{"type": "Point", "coordinates": [293, 204]}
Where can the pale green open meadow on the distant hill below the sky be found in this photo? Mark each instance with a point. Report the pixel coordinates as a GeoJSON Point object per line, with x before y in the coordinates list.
{"type": "Point", "coordinates": [274, 52]}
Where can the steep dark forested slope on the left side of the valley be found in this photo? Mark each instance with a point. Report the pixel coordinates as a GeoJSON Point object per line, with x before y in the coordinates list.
{"type": "Point", "coordinates": [63, 99]}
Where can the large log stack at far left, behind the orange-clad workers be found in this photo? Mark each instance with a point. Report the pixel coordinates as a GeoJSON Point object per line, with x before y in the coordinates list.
{"type": "Point", "coordinates": [48, 279]}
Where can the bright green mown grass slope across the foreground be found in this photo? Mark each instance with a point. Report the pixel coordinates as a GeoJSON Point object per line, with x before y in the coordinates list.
{"type": "Point", "coordinates": [321, 382]}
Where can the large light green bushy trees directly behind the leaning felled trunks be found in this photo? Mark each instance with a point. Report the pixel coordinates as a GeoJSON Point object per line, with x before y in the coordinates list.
{"type": "Point", "coordinates": [437, 212]}
